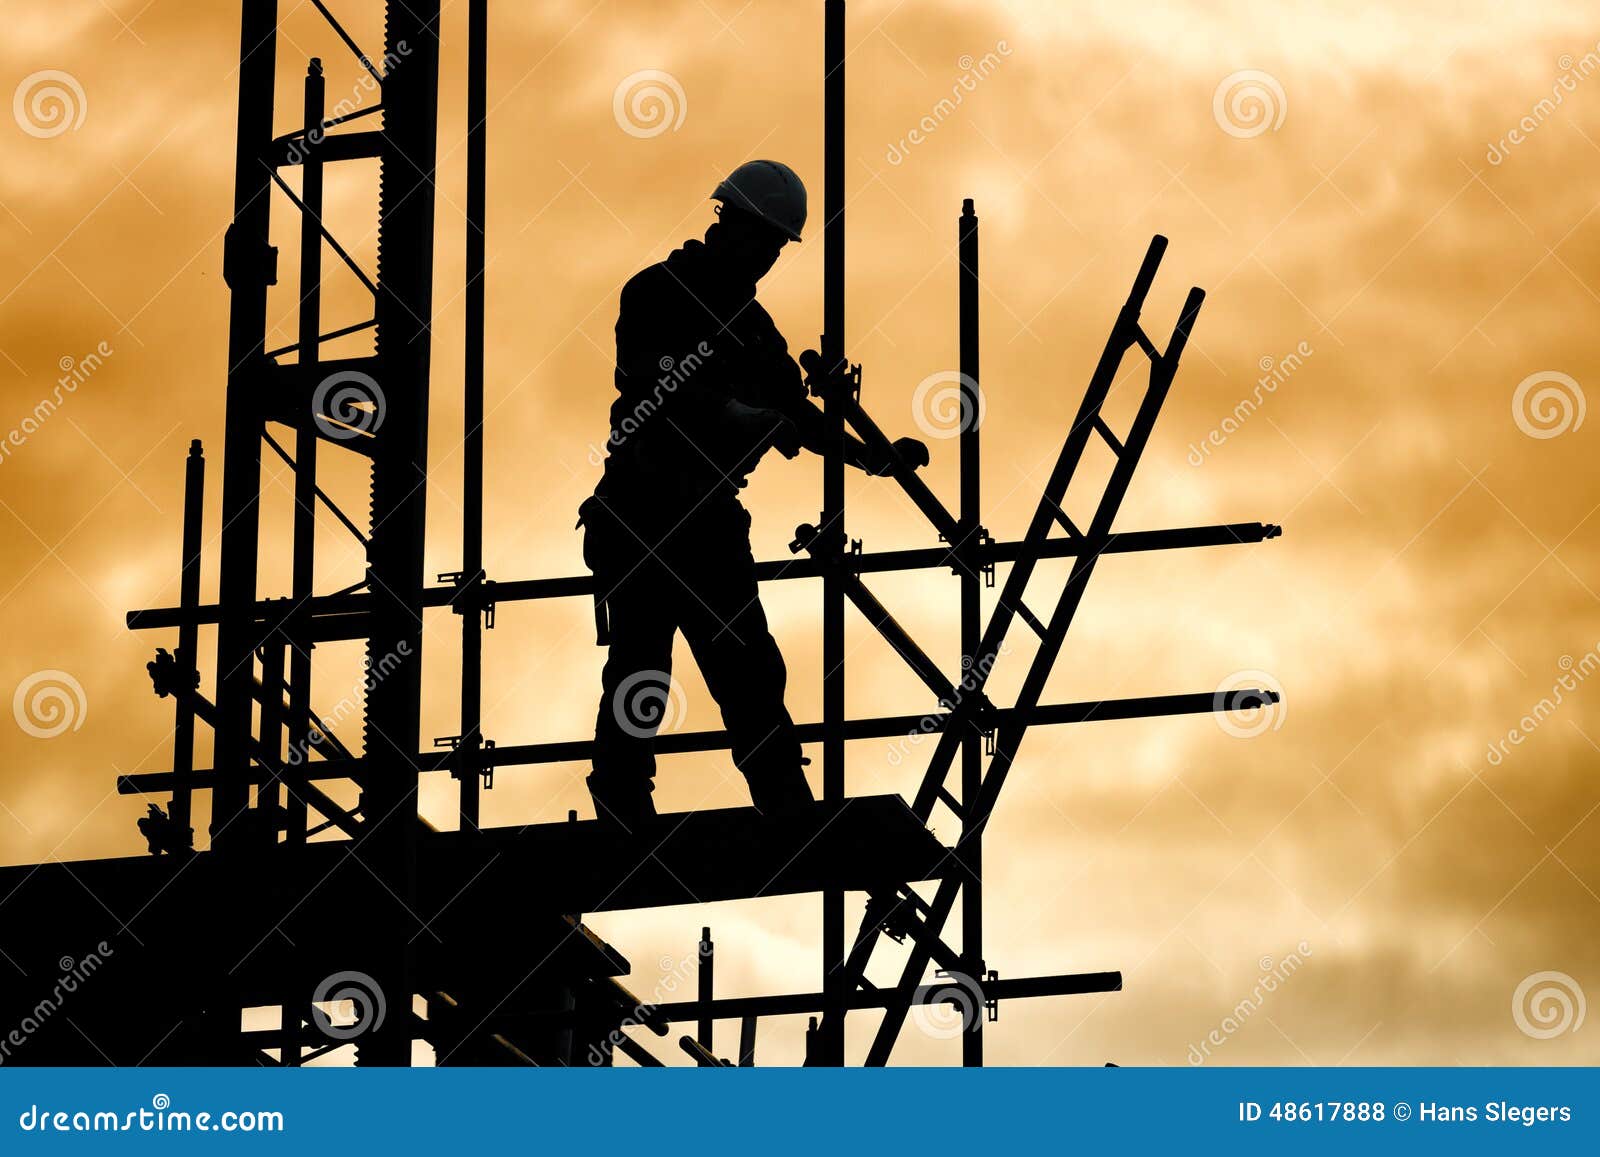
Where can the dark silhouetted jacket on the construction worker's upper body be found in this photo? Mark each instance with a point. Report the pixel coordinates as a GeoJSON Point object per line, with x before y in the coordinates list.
{"type": "Point", "coordinates": [689, 340]}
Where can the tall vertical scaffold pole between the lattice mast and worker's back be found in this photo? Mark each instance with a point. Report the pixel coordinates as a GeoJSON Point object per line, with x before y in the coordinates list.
{"type": "Point", "coordinates": [473, 417]}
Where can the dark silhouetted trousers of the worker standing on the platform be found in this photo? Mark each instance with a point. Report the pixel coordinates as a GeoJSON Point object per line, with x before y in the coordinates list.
{"type": "Point", "coordinates": [662, 574]}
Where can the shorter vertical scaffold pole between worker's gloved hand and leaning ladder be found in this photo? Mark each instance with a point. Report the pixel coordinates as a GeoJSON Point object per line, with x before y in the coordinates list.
{"type": "Point", "coordinates": [972, 854]}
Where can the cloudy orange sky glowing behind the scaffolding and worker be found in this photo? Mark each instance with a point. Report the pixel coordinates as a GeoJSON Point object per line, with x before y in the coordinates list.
{"type": "Point", "coordinates": [1434, 585]}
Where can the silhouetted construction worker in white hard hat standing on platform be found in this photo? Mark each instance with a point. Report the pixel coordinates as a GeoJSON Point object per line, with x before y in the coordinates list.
{"type": "Point", "coordinates": [706, 386]}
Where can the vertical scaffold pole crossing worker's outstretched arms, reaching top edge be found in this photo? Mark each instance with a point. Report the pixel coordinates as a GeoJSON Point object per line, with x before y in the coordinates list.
{"type": "Point", "coordinates": [831, 1041]}
